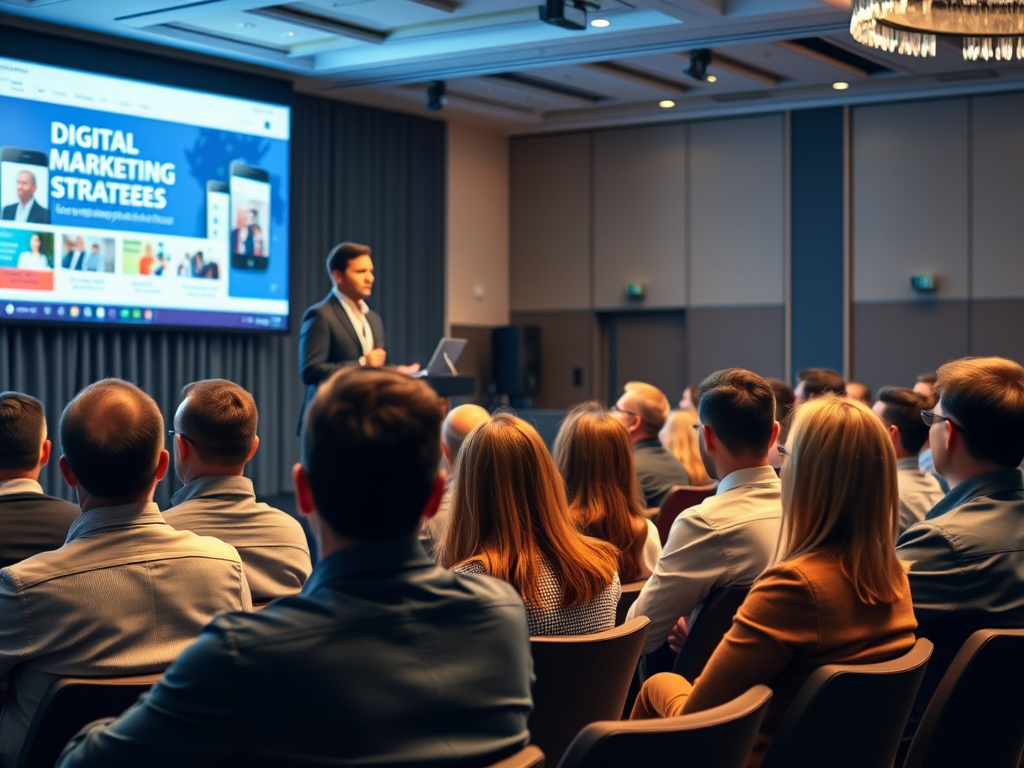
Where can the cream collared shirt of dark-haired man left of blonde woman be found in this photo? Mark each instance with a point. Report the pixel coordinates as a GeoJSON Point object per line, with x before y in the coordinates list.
{"type": "Point", "coordinates": [726, 541]}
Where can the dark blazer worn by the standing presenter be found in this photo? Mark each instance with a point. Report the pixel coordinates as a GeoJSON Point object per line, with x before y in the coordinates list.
{"type": "Point", "coordinates": [328, 342]}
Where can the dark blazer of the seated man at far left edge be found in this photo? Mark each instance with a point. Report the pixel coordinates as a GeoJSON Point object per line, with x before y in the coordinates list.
{"type": "Point", "coordinates": [31, 524]}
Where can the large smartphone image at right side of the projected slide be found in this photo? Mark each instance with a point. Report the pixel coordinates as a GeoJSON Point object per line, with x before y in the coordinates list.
{"type": "Point", "coordinates": [250, 237]}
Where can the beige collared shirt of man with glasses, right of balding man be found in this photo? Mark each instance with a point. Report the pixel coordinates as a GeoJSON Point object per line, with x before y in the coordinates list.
{"type": "Point", "coordinates": [273, 546]}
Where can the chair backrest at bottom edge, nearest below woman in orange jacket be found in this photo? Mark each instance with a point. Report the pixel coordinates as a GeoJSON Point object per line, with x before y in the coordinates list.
{"type": "Point", "coordinates": [721, 738]}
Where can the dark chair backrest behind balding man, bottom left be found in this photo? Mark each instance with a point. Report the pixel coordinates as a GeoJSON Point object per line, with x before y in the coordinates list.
{"type": "Point", "coordinates": [71, 703]}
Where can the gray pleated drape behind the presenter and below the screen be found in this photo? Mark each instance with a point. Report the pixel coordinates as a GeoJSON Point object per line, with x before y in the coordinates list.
{"type": "Point", "coordinates": [358, 175]}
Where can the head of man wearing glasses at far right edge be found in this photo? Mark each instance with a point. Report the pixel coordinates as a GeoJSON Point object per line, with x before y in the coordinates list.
{"type": "Point", "coordinates": [978, 423]}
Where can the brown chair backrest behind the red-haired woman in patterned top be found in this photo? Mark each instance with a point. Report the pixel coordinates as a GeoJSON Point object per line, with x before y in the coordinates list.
{"type": "Point", "coordinates": [581, 679]}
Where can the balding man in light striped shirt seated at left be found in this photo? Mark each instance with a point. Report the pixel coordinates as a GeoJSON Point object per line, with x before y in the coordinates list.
{"type": "Point", "coordinates": [127, 592]}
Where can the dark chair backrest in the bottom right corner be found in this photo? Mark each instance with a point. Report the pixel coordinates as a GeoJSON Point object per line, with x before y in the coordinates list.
{"type": "Point", "coordinates": [976, 716]}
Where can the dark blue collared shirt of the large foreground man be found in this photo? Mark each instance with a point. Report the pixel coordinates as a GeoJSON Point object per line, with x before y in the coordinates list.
{"type": "Point", "coordinates": [385, 659]}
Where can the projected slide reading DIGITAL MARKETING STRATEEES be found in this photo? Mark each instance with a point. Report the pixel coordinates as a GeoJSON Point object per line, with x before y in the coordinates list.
{"type": "Point", "coordinates": [124, 202]}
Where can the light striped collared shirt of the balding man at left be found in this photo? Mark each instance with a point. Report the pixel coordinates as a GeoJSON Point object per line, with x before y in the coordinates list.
{"type": "Point", "coordinates": [125, 595]}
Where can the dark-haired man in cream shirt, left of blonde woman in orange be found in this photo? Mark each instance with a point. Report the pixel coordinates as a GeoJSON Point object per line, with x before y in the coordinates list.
{"type": "Point", "coordinates": [731, 538]}
